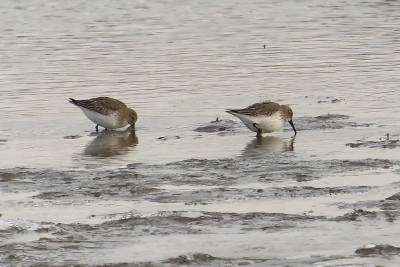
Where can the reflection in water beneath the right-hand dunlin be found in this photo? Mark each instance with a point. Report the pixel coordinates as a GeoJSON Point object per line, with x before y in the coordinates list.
{"type": "Point", "coordinates": [269, 144]}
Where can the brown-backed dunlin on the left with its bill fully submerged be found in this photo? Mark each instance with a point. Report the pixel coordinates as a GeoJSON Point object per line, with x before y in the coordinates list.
{"type": "Point", "coordinates": [107, 112]}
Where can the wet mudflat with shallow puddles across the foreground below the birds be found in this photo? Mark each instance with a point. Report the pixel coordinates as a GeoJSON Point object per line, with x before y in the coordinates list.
{"type": "Point", "coordinates": [314, 211]}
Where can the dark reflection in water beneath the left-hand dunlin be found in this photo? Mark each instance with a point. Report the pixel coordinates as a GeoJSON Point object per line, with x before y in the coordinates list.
{"type": "Point", "coordinates": [111, 143]}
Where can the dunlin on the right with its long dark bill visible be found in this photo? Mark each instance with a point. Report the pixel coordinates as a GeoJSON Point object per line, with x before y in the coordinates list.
{"type": "Point", "coordinates": [264, 117]}
